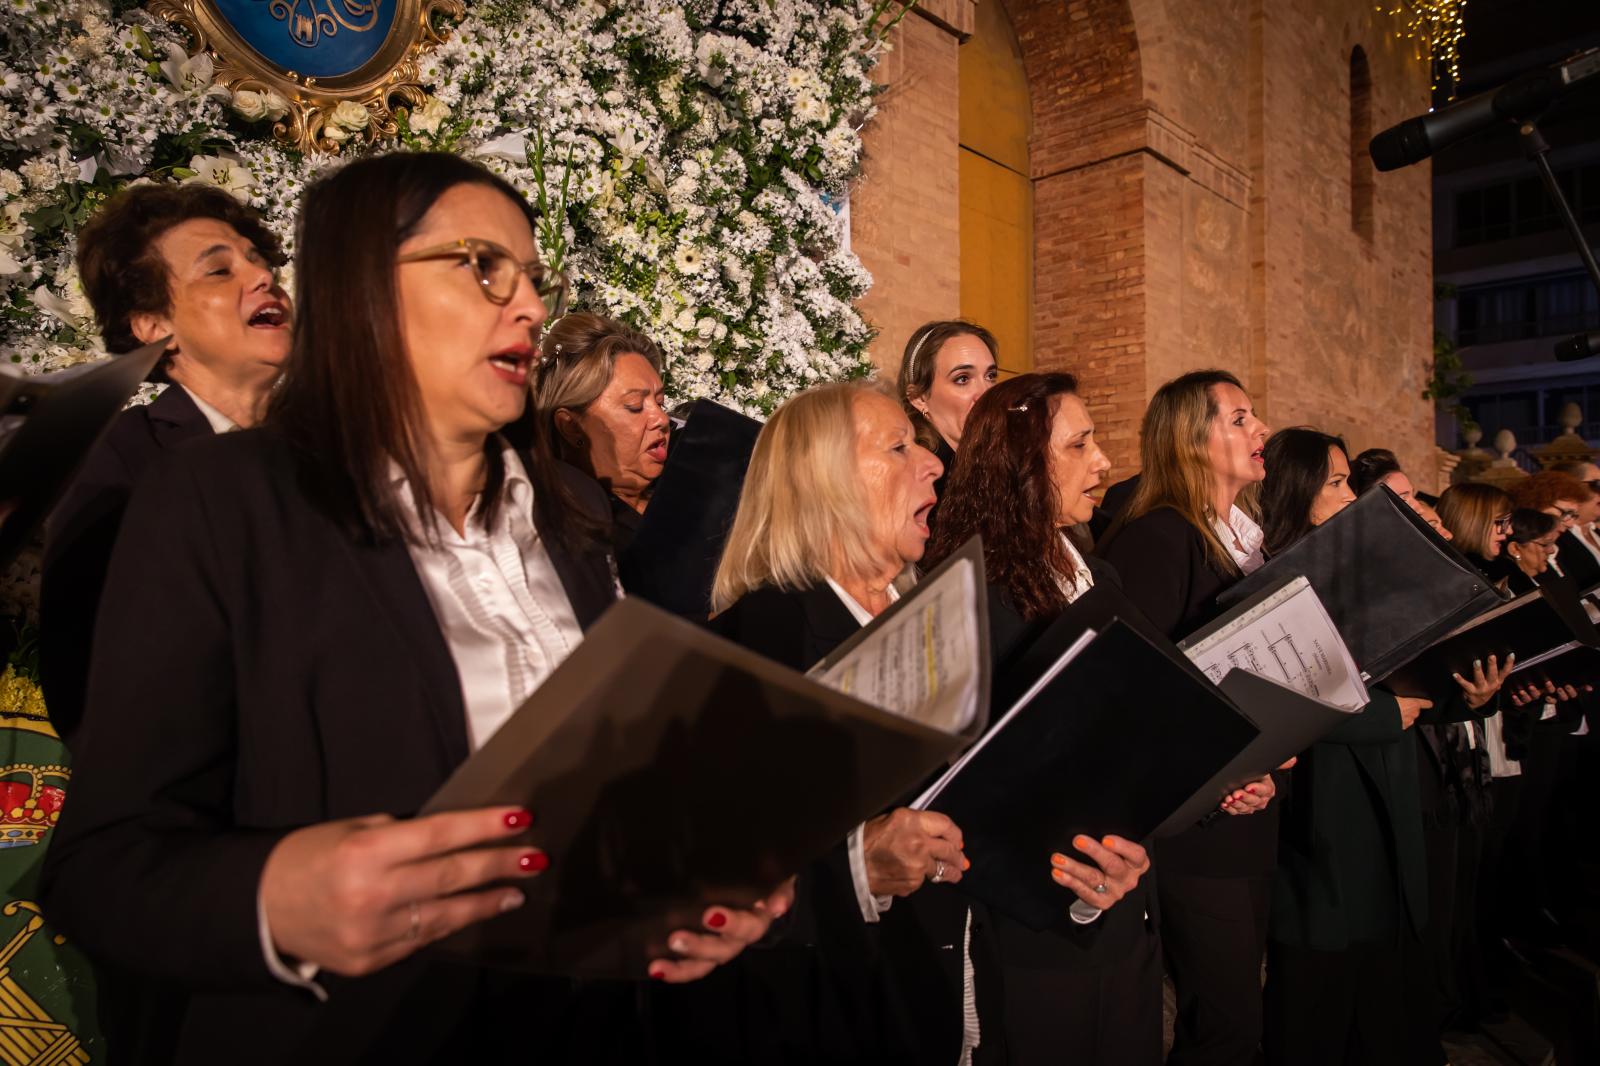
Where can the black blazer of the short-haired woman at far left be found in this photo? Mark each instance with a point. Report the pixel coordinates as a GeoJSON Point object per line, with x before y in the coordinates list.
{"type": "Point", "coordinates": [81, 535]}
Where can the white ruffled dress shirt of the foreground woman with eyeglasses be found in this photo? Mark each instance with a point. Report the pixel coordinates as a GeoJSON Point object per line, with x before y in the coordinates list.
{"type": "Point", "coordinates": [505, 615]}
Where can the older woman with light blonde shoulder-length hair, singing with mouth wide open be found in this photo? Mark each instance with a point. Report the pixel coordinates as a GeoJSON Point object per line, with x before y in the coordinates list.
{"type": "Point", "coordinates": [836, 507]}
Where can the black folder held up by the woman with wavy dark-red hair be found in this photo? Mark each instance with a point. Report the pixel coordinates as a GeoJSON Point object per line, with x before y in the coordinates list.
{"type": "Point", "coordinates": [1118, 742]}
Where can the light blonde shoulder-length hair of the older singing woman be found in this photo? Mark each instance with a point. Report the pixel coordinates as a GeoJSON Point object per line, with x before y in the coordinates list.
{"type": "Point", "coordinates": [802, 515]}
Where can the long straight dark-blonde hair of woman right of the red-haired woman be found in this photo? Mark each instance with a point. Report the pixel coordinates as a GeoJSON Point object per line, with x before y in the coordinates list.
{"type": "Point", "coordinates": [1175, 468]}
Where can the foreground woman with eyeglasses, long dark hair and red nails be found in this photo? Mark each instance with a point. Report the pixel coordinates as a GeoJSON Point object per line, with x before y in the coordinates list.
{"type": "Point", "coordinates": [351, 601]}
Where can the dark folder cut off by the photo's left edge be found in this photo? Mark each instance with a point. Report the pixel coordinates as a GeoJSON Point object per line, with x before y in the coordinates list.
{"type": "Point", "coordinates": [47, 425]}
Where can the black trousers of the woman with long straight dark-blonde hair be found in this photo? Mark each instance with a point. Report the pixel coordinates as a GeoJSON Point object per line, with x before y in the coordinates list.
{"type": "Point", "coordinates": [1214, 939]}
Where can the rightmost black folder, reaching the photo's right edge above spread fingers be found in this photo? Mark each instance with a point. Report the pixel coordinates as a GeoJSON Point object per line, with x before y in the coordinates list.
{"type": "Point", "coordinates": [1534, 627]}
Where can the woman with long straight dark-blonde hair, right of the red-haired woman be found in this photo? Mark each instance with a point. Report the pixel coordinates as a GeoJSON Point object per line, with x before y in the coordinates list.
{"type": "Point", "coordinates": [1185, 537]}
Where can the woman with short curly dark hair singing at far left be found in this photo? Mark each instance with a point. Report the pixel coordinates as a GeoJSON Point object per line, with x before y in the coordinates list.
{"type": "Point", "coordinates": [194, 265]}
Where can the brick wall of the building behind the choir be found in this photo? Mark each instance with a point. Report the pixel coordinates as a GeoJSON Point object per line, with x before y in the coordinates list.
{"type": "Point", "coordinates": [1193, 180]}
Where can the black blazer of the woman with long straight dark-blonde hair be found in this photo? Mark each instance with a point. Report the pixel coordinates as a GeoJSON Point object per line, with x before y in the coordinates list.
{"type": "Point", "coordinates": [1167, 574]}
